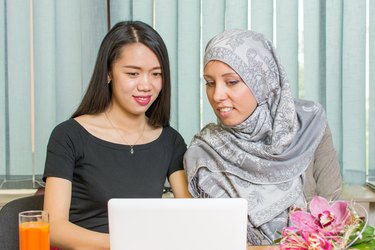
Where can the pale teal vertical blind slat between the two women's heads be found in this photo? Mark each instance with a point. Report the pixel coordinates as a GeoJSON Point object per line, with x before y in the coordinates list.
{"type": "Point", "coordinates": [188, 71]}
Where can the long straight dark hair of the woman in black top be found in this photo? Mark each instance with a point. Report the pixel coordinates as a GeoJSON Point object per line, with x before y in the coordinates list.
{"type": "Point", "coordinates": [99, 93]}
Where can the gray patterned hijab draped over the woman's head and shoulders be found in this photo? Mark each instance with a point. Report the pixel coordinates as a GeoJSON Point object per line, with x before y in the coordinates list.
{"type": "Point", "coordinates": [263, 159]}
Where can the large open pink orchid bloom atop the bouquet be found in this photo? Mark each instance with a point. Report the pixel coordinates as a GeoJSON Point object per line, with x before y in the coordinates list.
{"type": "Point", "coordinates": [325, 218]}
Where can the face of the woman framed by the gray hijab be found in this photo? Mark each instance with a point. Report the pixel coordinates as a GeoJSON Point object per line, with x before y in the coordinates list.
{"type": "Point", "coordinates": [230, 98]}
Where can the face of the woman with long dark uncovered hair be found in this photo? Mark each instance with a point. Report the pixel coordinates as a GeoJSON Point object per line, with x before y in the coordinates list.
{"type": "Point", "coordinates": [136, 79]}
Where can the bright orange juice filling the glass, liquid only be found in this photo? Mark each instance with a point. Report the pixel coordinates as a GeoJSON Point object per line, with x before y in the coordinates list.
{"type": "Point", "coordinates": [34, 235]}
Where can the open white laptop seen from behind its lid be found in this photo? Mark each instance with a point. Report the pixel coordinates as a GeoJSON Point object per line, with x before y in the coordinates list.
{"type": "Point", "coordinates": [177, 224]}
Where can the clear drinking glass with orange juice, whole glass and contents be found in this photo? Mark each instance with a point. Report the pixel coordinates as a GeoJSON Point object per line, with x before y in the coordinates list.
{"type": "Point", "coordinates": [34, 230]}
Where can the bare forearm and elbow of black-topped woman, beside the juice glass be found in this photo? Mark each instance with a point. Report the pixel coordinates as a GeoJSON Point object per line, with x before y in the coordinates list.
{"type": "Point", "coordinates": [64, 234]}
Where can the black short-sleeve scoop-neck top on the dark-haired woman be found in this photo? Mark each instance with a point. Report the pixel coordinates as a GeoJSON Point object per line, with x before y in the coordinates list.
{"type": "Point", "coordinates": [100, 170]}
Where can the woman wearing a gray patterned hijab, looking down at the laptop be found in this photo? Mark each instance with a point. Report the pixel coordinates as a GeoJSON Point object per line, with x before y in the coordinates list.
{"type": "Point", "coordinates": [268, 147]}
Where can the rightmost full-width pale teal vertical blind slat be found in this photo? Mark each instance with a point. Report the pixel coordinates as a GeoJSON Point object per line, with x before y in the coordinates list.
{"type": "Point", "coordinates": [354, 88]}
